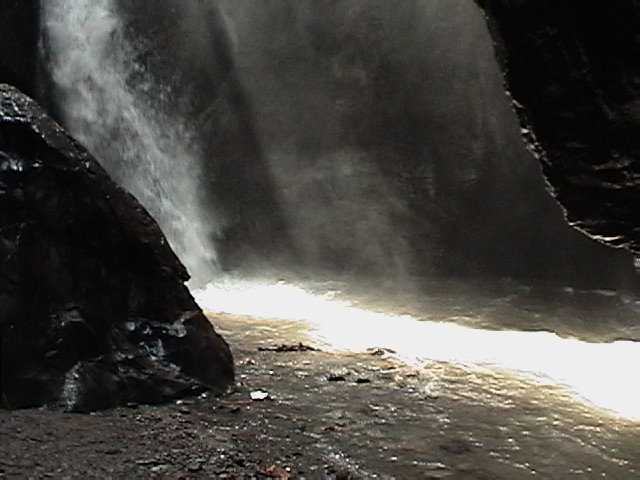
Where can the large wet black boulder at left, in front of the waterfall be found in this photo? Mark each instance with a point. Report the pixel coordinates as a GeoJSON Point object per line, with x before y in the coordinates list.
{"type": "Point", "coordinates": [93, 309]}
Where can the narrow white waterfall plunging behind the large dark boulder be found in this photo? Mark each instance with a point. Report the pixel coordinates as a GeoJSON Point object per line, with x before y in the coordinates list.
{"type": "Point", "coordinates": [109, 102]}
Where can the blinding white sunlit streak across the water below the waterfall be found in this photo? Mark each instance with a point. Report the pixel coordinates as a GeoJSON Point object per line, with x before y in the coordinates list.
{"type": "Point", "coordinates": [600, 373]}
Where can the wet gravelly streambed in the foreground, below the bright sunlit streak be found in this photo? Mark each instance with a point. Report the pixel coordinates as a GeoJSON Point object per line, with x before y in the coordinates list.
{"type": "Point", "coordinates": [303, 413]}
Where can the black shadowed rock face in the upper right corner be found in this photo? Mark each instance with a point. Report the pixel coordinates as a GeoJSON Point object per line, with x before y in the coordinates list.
{"type": "Point", "coordinates": [573, 69]}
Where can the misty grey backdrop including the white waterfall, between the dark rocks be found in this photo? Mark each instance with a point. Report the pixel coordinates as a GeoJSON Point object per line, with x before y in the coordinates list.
{"type": "Point", "coordinates": [320, 139]}
